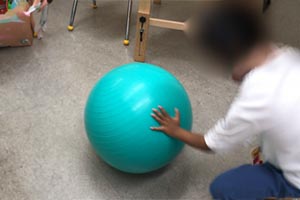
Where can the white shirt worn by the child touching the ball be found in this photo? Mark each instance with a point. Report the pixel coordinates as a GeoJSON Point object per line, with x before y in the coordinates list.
{"type": "Point", "coordinates": [268, 106]}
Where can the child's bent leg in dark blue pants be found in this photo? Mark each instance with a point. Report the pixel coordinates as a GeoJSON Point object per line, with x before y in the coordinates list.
{"type": "Point", "coordinates": [252, 182]}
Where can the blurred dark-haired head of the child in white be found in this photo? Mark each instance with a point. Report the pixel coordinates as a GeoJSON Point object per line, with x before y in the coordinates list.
{"type": "Point", "coordinates": [230, 32]}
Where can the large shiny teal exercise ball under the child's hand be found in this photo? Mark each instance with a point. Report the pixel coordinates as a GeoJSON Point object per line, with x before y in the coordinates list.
{"type": "Point", "coordinates": [117, 117]}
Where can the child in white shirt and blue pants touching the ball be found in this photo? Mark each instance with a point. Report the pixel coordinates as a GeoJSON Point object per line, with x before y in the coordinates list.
{"type": "Point", "coordinates": [267, 106]}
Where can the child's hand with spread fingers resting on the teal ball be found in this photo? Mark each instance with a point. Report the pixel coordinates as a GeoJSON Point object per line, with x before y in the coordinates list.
{"type": "Point", "coordinates": [168, 124]}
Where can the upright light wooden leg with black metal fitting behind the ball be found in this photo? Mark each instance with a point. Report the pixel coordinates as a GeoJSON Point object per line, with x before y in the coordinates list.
{"type": "Point", "coordinates": [143, 21]}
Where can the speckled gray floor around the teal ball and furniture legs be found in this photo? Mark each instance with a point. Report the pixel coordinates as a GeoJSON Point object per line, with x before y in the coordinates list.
{"type": "Point", "coordinates": [44, 151]}
